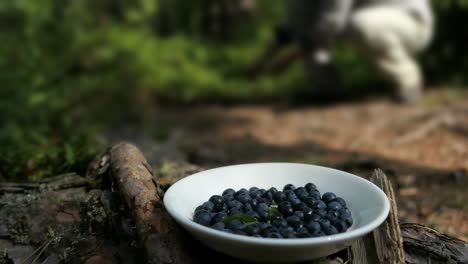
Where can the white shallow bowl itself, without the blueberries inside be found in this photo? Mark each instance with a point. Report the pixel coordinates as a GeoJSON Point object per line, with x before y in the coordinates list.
{"type": "Point", "coordinates": [368, 204]}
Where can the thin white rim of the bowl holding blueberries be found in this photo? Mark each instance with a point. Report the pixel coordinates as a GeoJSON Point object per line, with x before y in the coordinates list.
{"type": "Point", "coordinates": [290, 242]}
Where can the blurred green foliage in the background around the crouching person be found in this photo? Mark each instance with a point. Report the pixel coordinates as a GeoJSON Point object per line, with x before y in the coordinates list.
{"type": "Point", "coordinates": [68, 66]}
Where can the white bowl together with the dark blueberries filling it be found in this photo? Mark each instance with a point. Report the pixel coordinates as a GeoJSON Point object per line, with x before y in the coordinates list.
{"type": "Point", "coordinates": [276, 212]}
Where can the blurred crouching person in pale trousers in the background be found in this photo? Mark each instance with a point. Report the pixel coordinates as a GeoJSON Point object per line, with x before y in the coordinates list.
{"type": "Point", "coordinates": [390, 33]}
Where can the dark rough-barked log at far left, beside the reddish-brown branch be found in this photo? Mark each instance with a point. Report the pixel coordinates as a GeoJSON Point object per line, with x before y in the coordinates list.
{"type": "Point", "coordinates": [65, 223]}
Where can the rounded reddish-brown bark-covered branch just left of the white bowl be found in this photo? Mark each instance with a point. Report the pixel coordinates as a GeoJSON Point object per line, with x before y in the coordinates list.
{"type": "Point", "coordinates": [132, 176]}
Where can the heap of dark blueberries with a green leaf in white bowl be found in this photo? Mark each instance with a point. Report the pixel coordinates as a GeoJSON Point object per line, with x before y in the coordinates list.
{"type": "Point", "coordinates": [291, 213]}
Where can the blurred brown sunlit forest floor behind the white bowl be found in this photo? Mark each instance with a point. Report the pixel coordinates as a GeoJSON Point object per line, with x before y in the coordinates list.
{"type": "Point", "coordinates": [422, 147]}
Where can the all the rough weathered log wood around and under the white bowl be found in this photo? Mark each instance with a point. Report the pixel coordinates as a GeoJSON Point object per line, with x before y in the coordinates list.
{"type": "Point", "coordinates": [115, 215]}
